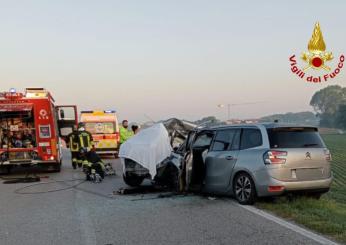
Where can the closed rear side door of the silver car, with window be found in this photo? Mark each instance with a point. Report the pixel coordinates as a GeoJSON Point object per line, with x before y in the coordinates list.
{"type": "Point", "coordinates": [221, 159]}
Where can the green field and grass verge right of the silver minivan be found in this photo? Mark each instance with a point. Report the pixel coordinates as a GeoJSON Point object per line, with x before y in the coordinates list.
{"type": "Point", "coordinates": [327, 215]}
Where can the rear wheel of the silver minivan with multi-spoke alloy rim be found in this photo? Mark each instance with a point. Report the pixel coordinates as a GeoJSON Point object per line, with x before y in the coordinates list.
{"type": "Point", "coordinates": [244, 189]}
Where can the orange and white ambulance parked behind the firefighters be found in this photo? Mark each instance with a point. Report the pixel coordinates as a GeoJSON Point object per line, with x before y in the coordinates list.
{"type": "Point", "coordinates": [103, 125]}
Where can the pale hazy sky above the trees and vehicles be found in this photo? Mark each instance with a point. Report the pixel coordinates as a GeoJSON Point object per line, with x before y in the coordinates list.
{"type": "Point", "coordinates": [161, 59]}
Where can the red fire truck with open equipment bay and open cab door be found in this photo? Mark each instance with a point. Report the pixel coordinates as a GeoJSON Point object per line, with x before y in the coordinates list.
{"type": "Point", "coordinates": [30, 129]}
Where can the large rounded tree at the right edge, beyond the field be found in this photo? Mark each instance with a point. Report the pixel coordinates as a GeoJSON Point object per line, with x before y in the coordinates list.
{"type": "Point", "coordinates": [330, 105]}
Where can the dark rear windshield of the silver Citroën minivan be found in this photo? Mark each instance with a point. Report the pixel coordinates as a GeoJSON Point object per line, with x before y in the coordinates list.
{"type": "Point", "coordinates": [295, 138]}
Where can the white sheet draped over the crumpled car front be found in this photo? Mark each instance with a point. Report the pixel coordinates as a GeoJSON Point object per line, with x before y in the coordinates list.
{"type": "Point", "coordinates": [148, 148]}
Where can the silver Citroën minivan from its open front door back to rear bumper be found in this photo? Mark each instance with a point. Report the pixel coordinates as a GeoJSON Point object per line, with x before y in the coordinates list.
{"type": "Point", "coordinates": [249, 161]}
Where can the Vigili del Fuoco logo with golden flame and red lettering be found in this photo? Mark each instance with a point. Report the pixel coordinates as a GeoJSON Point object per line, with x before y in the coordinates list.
{"type": "Point", "coordinates": [316, 58]}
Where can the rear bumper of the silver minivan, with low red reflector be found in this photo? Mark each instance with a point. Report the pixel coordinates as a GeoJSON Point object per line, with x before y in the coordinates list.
{"type": "Point", "coordinates": [263, 189]}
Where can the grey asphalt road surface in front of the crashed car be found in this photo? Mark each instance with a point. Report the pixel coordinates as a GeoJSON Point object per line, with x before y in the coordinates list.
{"type": "Point", "coordinates": [90, 214]}
